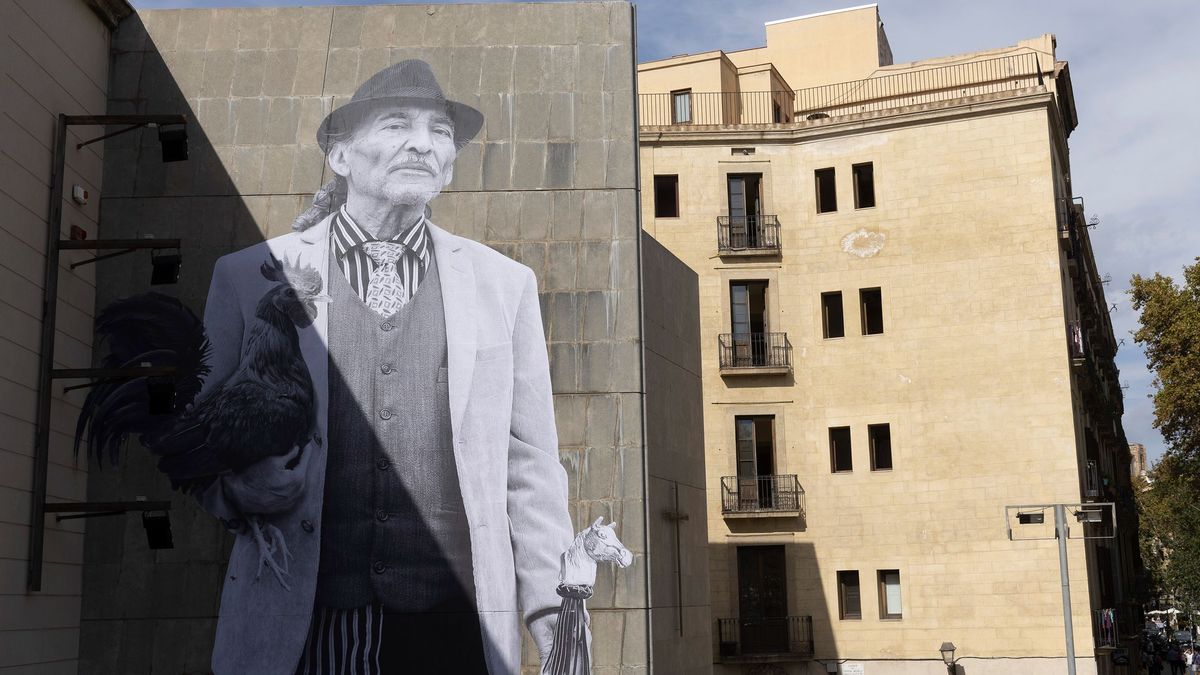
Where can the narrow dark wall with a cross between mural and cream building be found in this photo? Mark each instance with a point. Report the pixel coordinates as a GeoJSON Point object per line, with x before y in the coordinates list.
{"type": "Point", "coordinates": [675, 441]}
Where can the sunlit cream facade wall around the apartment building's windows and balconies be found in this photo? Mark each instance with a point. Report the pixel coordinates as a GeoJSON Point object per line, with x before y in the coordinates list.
{"type": "Point", "coordinates": [971, 373]}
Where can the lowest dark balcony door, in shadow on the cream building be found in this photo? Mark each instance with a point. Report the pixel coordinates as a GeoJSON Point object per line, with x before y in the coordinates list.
{"type": "Point", "coordinates": [763, 600]}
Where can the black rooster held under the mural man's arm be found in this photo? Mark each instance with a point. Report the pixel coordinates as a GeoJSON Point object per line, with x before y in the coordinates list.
{"type": "Point", "coordinates": [265, 409]}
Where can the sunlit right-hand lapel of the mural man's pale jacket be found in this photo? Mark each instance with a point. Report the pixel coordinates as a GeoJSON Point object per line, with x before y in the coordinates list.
{"type": "Point", "coordinates": [458, 277]}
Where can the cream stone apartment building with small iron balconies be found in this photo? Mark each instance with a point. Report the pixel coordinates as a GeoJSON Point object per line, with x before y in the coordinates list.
{"type": "Point", "coordinates": [903, 333]}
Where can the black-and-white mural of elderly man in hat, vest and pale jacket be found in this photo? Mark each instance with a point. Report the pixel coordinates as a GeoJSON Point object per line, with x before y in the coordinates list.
{"type": "Point", "coordinates": [427, 516]}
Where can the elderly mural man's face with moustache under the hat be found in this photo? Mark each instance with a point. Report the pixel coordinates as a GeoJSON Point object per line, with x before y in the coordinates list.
{"type": "Point", "coordinates": [404, 154]}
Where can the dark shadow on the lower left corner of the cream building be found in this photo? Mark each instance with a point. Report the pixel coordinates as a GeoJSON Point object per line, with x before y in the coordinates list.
{"type": "Point", "coordinates": [771, 612]}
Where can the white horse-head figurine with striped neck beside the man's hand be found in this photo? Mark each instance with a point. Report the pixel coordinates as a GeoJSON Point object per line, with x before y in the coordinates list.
{"type": "Point", "coordinates": [578, 576]}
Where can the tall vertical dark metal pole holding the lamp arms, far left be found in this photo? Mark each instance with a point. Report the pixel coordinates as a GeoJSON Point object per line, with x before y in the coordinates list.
{"type": "Point", "coordinates": [46, 361]}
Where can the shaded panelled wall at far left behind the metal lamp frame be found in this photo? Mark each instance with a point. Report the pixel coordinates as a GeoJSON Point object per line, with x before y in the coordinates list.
{"type": "Point", "coordinates": [55, 59]}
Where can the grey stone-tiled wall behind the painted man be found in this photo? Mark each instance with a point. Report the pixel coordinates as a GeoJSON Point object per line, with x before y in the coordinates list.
{"type": "Point", "coordinates": [550, 182]}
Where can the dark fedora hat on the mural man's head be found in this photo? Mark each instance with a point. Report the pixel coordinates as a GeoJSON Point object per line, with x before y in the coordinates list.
{"type": "Point", "coordinates": [407, 82]}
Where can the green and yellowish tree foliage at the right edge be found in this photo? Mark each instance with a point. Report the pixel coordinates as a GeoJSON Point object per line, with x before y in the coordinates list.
{"type": "Point", "coordinates": [1169, 505]}
